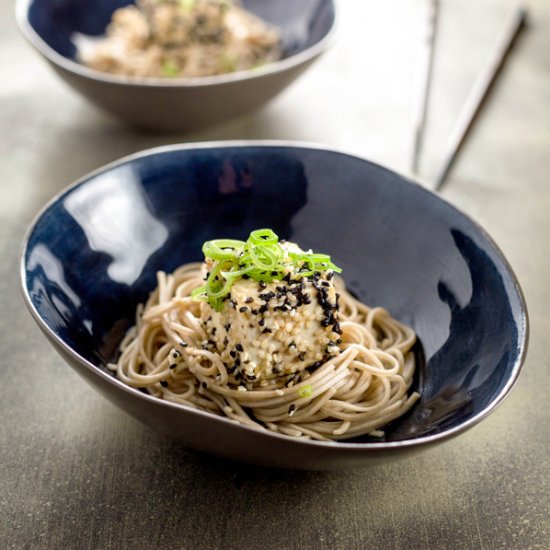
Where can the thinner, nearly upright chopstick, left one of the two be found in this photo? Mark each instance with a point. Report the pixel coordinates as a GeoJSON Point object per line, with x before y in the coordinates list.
{"type": "Point", "coordinates": [424, 91]}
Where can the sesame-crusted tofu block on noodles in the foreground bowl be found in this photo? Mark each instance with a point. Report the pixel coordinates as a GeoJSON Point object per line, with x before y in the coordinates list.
{"type": "Point", "coordinates": [265, 330]}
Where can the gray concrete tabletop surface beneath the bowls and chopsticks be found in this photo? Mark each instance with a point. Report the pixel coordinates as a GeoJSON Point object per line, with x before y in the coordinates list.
{"type": "Point", "coordinates": [77, 473]}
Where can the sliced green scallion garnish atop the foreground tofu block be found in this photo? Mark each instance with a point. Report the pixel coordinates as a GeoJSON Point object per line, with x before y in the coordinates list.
{"type": "Point", "coordinates": [261, 258]}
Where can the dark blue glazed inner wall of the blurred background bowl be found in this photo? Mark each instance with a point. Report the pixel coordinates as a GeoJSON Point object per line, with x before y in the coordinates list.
{"type": "Point", "coordinates": [302, 23]}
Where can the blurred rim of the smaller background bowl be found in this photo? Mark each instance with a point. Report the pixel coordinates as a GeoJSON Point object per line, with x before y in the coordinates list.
{"type": "Point", "coordinates": [275, 67]}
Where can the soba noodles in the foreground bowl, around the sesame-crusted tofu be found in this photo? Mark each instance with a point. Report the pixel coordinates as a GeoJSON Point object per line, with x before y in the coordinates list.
{"type": "Point", "coordinates": [356, 392]}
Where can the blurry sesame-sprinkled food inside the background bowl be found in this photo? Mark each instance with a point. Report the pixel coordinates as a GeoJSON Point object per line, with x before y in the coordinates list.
{"type": "Point", "coordinates": [182, 38]}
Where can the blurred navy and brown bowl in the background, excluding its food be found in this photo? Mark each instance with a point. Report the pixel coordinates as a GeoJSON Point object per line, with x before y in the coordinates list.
{"type": "Point", "coordinates": [51, 26]}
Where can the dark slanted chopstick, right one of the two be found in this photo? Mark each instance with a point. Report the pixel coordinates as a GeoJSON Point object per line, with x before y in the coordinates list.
{"type": "Point", "coordinates": [479, 93]}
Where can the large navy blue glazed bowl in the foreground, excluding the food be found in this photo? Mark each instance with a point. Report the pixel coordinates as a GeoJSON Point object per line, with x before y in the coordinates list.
{"type": "Point", "coordinates": [92, 254]}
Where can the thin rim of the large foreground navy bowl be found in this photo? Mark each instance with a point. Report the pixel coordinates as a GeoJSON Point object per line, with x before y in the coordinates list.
{"type": "Point", "coordinates": [328, 446]}
